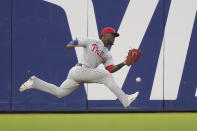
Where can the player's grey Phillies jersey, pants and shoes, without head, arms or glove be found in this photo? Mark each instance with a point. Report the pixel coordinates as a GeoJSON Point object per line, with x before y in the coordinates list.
{"type": "Point", "coordinates": [94, 54]}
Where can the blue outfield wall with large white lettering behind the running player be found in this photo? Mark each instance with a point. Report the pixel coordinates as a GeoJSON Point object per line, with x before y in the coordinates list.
{"type": "Point", "coordinates": [33, 35]}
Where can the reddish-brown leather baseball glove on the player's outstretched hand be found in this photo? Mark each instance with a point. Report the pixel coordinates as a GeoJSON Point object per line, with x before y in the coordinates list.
{"type": "Point", "coordinates": [133, 56]}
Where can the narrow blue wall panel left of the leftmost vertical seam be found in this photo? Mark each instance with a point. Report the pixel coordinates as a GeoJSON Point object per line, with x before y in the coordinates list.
{"type": "Point", "coordinates": [5, 55]}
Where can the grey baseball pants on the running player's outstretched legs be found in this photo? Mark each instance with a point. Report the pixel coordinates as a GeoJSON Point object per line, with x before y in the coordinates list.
{"type": "Point", "coordinates": [77, 76]}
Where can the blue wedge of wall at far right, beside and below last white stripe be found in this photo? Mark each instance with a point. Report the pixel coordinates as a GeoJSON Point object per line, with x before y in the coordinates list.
{"type": "Point", "coordinates": [187, 97]}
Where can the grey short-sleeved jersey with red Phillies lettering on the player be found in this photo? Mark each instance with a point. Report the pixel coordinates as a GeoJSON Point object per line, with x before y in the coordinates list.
{"type": "Point", "coordinates": [95, 53]}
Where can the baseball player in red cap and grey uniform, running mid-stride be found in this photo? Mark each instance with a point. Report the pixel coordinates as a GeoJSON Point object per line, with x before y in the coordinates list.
{"type": "Point", "coordinates": [95, 52]}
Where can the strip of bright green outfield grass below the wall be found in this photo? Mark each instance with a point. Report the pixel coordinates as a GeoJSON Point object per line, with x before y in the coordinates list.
{"type": "Point", "coordinates": [99, 122]}
